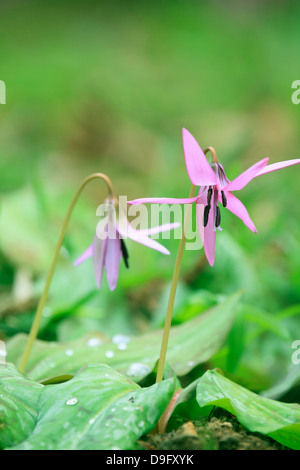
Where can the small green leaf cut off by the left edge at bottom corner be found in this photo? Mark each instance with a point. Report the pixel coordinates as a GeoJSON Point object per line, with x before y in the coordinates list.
{"type": "Point", "coordinates": [18, 406]}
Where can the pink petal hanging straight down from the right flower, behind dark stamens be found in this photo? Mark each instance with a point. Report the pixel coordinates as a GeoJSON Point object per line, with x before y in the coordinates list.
{"type": "Point", "coordinates": [208, 233]}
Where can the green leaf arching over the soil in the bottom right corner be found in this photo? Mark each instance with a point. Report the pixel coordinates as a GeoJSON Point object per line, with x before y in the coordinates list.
{"type": "Point", "coordinates": [280, 421]}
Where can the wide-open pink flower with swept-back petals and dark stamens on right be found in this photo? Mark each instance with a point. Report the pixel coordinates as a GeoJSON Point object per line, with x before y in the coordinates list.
{"type": "Point", "coordinates": [215, 188]}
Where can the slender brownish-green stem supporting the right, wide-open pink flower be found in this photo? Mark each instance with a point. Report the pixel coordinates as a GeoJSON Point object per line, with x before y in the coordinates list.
{"type": "Point", "coordinates": [166, 333]}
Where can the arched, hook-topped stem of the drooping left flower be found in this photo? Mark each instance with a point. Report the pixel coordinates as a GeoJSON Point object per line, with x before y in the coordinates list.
{"type": "Point", "coordinates": [37, 319]}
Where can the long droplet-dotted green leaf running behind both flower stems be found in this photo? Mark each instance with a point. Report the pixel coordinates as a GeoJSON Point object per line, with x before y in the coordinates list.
{"type": "Point", "coordinates": [191, 343]}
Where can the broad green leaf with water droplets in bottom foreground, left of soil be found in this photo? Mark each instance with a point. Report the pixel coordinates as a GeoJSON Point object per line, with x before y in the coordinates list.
{"type": "Point", "coordinates": [98, 409]}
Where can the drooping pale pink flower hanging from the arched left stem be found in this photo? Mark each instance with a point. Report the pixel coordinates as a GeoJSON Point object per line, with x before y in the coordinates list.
{"type": "Point", "coordinates": [109, 247]}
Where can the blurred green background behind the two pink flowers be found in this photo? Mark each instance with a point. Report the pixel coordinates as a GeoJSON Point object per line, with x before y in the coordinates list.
{"type": "Point", "coordinates": [108, 86]}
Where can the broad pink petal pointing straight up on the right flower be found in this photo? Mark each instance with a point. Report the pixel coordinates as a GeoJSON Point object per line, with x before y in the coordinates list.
{"type": "Point", "coordinates": [198, 168]}
